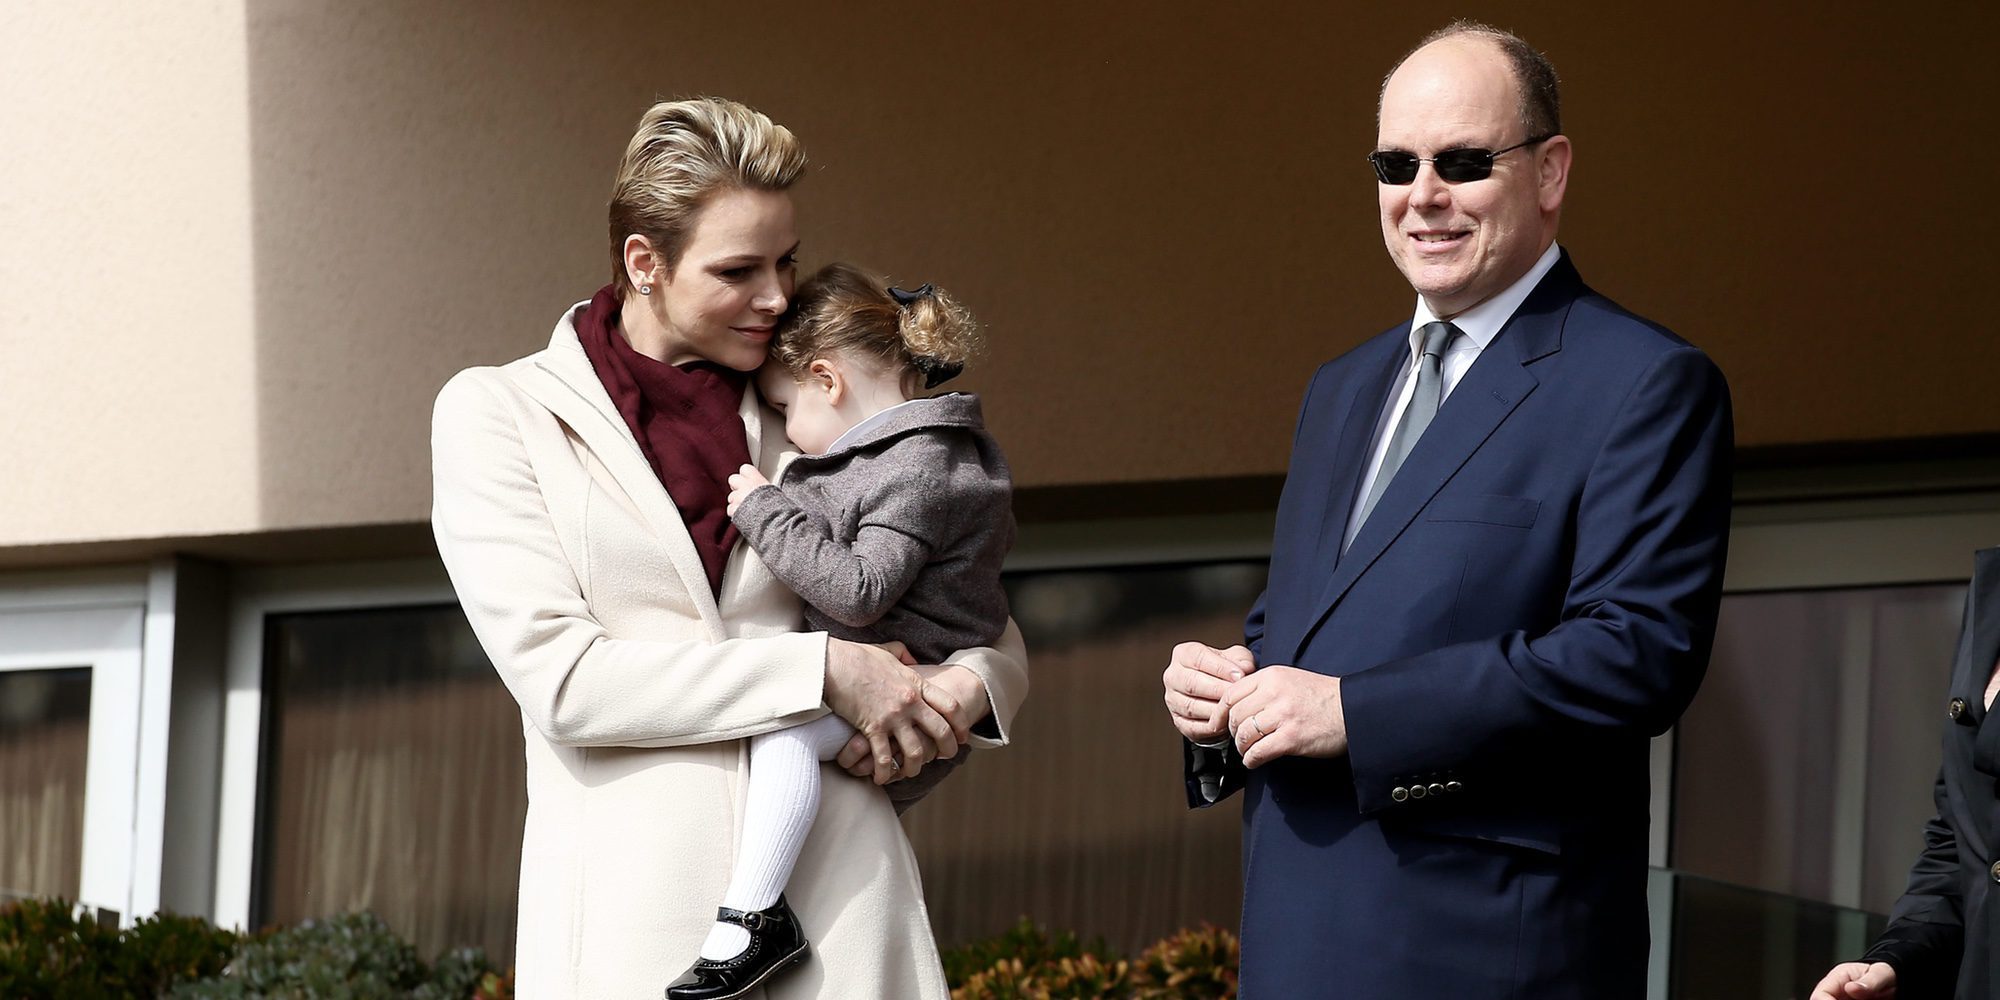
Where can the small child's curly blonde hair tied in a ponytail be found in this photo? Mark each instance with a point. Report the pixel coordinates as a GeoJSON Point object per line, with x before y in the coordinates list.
{"type": "Point", "coordinates": [925, 339]}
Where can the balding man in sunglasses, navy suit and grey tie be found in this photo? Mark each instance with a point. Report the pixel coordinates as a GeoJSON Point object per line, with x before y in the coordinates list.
{"type": "Point", "coordinates": [1495, 577]}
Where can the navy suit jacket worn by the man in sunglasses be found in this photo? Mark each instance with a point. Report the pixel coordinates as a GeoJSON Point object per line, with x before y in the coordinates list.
{"type": "Point", "coordinates": [1531, 601]}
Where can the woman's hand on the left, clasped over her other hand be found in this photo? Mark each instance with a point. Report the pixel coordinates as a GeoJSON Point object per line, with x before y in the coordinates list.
{"type": "Point", "coordinates": [899, 713]}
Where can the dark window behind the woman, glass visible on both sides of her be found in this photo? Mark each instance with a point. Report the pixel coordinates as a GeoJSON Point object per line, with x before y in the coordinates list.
{"type": "Point", "coordinates": [393, 775]}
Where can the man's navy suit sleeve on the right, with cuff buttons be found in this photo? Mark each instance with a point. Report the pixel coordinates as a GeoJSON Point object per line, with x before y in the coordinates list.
{"type": "Point", "coordinates": [1637, 621]}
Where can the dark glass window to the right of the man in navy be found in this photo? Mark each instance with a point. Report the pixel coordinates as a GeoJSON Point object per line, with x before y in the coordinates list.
{"type": "Point", "coordinates": [1807, 761]}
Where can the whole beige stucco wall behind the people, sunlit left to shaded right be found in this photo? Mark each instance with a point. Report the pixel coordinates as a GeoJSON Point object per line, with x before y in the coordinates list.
{"type": "Point", "coordinates": [265, 233]}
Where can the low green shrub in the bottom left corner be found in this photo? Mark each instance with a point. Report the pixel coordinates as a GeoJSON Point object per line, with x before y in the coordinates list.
{"type": "Point", "coordinates": [47, 951]}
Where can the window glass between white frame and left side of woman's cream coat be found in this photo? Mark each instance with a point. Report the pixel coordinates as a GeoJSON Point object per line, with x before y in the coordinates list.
{"type": "Point", "coordinates": [393, 777]}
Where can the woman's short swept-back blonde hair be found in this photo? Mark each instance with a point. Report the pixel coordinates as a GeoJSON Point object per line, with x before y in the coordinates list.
{"type": "Point", "coordinates": [683, 155]}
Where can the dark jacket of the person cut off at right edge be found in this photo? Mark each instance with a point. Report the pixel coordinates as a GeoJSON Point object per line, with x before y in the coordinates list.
{"type": "Point", "coordinates": [1945, 933]}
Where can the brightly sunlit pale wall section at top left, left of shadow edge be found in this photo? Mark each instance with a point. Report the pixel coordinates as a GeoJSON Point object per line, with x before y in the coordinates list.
{"type": "Point", "coordinates": [127, 287]}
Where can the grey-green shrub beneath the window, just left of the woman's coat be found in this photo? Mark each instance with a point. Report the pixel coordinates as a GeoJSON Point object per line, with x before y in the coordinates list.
{"type": "Point", "coordinates": [353, 957]}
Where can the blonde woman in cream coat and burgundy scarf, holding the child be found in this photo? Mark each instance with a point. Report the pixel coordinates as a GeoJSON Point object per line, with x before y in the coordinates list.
{"type": "Point", "coordinates": [581, 515]}
